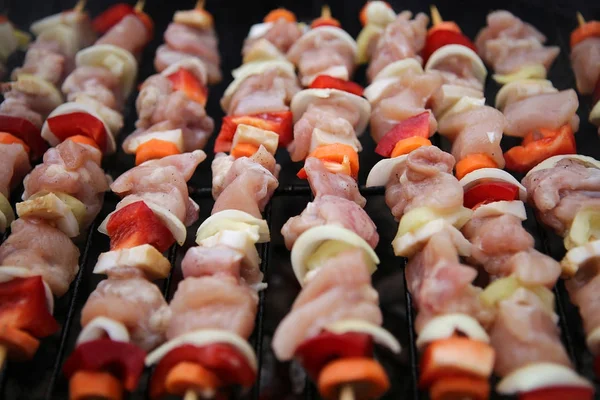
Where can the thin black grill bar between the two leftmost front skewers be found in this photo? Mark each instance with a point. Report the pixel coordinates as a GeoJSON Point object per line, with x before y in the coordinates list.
{"type": "Point", "coordinates": [70, 314]}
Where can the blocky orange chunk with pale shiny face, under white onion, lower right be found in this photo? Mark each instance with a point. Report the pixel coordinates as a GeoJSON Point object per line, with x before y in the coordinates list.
{"type": "Point", "coordinates": [456, 356]}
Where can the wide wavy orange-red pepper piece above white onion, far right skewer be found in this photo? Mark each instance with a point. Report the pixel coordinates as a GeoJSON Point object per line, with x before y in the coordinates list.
{"type": "Point", "coordinates": [538, 146]}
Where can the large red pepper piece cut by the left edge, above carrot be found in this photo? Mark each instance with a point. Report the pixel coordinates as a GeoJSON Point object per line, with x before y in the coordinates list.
{"type": "Point", "coordinates": [23, 306]}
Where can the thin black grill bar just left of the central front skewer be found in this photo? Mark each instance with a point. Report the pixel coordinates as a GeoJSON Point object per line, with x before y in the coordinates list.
{"type": "Point", "coordinates": [260, 316]}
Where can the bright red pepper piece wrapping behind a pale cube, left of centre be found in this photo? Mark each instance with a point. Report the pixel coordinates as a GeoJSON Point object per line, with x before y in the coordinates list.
{"type": "Point", "coordinates": [282, 123]}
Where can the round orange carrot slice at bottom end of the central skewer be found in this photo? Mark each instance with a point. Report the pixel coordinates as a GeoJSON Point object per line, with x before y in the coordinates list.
{"type": "Point", "coordinates": [366, 376]}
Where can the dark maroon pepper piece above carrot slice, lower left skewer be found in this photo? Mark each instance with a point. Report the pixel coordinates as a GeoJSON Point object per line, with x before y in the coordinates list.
{"type": "Point", "coordinates": [124, 360]}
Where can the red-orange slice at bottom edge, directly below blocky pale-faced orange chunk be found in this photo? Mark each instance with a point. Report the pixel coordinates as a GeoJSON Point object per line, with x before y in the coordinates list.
{"type": "Point", "coordinates": [460, 387]}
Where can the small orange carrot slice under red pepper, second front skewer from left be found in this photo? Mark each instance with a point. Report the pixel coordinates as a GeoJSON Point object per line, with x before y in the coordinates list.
{"type": "Point", "coordinates": [188, 375]}
